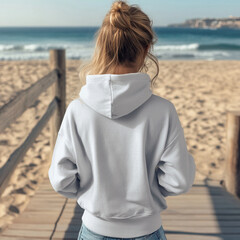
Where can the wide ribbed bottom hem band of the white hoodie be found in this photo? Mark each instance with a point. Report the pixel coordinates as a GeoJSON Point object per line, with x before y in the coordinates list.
{"type": "Point", "coordinates": [122, 228]}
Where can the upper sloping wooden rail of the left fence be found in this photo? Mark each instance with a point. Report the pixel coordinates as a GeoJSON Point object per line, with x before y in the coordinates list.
{"type": "Point", "coordinates": [25, 98]}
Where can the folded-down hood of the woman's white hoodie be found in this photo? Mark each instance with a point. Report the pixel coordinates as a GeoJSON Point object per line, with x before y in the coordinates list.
{"type": "Point", "coordinates": [116, 95]}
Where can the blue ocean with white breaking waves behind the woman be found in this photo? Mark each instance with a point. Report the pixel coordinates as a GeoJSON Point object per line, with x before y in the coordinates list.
{"type": "Point", "coordinates": [23, 43]}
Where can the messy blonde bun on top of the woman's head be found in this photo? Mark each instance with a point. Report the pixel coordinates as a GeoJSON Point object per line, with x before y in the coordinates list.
{"type": "Point", "coordinates": [119, 15]}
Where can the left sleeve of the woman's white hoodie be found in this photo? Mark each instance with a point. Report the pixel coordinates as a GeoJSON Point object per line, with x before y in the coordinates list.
{"type": "Point", "coordinates": [63, 172]}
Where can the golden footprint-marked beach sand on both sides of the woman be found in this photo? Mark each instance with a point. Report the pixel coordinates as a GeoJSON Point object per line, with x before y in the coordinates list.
{"type": "Point", "coordinates": [202, 92]}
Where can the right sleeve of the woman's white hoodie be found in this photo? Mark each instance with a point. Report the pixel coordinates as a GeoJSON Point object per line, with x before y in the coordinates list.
{"type": "Point", "coordinates": [176, 168]}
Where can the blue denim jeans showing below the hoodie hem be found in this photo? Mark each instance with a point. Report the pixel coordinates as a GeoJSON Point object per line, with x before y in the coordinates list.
{"type": "Point", "coordinates": [87, 234]}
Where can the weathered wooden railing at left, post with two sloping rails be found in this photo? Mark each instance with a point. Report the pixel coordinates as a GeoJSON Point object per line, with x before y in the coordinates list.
{"type": "Point", "coordinates": [17, 106]}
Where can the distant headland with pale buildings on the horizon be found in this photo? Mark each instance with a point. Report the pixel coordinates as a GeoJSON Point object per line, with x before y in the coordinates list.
{"type": "Point", "coordinates": [210, 23]}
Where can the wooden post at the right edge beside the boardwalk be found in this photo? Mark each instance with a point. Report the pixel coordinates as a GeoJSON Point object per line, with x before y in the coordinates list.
{"type": "Point", "coordinates": [232, 174]}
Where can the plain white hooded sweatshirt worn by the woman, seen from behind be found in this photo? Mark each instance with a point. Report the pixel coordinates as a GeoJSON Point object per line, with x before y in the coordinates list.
{"type": "Point", "coordinates": [119, 152]}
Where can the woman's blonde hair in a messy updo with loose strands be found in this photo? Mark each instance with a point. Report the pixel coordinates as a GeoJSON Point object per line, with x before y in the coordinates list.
{"type": "Point", "coordinates": [125, 34]}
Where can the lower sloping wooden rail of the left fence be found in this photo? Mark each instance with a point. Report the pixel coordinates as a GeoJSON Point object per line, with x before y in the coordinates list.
{"type": "Point", "coordinates": [7, 170]}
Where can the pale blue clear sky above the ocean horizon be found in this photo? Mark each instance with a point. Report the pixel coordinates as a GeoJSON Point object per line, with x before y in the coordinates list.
{"type": "Point", "coordinates": [91, 12]}
